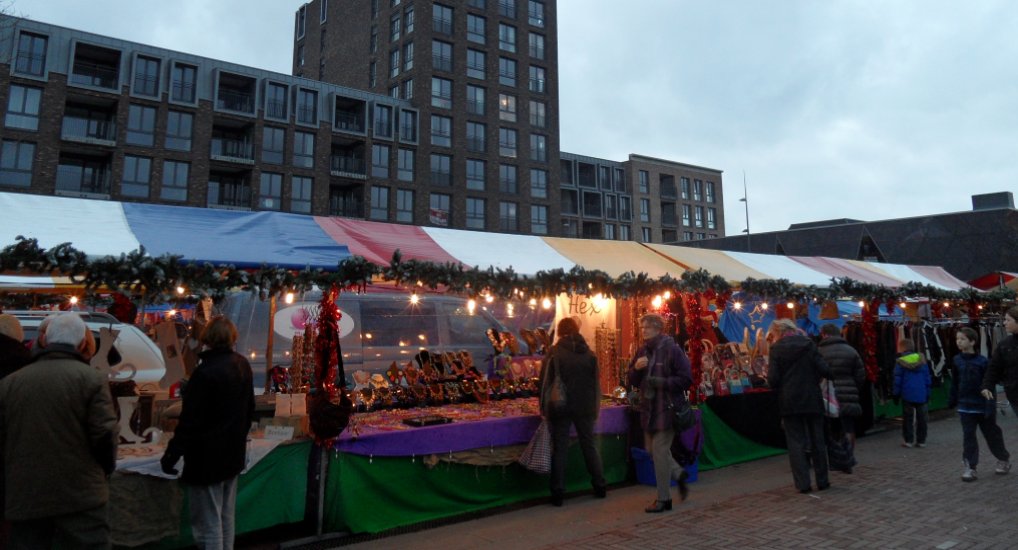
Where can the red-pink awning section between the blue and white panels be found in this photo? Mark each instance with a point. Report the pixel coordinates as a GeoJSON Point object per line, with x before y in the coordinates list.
{"type": "Point", "coordinates": [377, 242]}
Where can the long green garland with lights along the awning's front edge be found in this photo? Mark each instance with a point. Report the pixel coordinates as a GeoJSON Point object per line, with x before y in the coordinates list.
{"type": "Point", "coordinates": [157, 280]}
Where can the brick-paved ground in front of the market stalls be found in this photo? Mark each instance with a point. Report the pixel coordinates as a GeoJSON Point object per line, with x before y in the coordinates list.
{"type": "Point", "coordinates": [897, 499]}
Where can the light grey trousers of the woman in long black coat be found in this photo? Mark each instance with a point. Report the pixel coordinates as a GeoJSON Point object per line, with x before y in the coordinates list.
{"type": "Point", "coordinates": [212, 511]}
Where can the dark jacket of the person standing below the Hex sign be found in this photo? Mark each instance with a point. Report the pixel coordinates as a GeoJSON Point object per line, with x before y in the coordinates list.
{"type": "Point", "coordinates": [573, 360]}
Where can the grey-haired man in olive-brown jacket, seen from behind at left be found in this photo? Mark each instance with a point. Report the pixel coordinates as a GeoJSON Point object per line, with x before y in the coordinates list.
{"type": "Point", "coordinates": [59, 444]}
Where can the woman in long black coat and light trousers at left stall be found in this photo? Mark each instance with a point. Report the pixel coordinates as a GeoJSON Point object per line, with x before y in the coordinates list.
{"type": "Point", "coordinates": [212, 434]}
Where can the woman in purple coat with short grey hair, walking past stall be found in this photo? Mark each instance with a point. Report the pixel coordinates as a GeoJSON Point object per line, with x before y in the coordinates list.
{"type": "Point", "coordinates": [661, 372]}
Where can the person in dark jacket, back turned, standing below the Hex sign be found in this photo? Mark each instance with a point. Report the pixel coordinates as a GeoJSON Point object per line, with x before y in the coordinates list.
{"type": "Point", "coordinates": [572, 360]}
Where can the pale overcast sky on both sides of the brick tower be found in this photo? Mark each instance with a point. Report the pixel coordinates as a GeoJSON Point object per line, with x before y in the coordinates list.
{"type": "Point", "coordinates": [832, 109]}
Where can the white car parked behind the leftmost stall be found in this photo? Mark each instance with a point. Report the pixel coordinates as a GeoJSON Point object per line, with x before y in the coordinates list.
{"type": "Point", "coordinates": [133, 350]}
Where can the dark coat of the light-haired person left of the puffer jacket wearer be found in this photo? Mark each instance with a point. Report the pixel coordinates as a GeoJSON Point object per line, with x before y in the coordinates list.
{"type": "Point", "coordinates": [795, 372]}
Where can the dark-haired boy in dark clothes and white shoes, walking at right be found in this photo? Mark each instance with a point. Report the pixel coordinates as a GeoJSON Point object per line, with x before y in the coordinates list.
{"type": "Point", "coordinates": [974, 409]}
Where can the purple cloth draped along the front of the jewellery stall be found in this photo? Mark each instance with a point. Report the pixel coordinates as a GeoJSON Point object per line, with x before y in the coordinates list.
{"type": "Point", "coordinates": [467, 435]}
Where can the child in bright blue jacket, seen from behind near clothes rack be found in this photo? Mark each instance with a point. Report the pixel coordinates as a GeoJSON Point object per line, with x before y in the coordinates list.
{"type": "Point", "coordinates": [912, 386]}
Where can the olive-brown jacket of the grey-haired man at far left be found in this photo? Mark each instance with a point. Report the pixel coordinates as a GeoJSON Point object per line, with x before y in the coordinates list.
{"type": "Point", "coordinates": [59, 436]}
